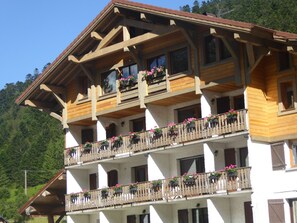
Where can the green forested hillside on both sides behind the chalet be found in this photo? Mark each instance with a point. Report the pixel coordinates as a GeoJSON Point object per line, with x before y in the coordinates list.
{"type": "Point", "coordinates": [32, 140]}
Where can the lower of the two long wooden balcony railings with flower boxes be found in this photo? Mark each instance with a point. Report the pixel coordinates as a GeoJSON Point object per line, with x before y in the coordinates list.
{"type": "Point", "coordinates": [200, 185]}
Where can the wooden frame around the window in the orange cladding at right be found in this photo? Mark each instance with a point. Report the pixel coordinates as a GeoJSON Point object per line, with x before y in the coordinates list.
{"type": "Point", "coordinates": [281, 110]}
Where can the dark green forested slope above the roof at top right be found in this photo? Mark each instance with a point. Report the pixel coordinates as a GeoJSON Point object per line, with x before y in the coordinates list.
{"type": "Point", "coordinates": [274, 14]}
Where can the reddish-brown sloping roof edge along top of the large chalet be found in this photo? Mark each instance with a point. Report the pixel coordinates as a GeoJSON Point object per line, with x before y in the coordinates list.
{"type": "Point", "coordinates": [192, 18]}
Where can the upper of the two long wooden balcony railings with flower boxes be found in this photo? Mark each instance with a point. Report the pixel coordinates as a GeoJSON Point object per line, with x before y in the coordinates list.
{"type": "Point", "coordinates": [202, 129]}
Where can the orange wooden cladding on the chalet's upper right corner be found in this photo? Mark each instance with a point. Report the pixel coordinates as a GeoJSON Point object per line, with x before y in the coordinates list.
{"type": "Point", "coordinates": [265, 121]}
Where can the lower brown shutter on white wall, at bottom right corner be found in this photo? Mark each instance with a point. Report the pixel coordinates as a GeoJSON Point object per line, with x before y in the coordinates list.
{"type": "Point", "coordinates": [276, 211]}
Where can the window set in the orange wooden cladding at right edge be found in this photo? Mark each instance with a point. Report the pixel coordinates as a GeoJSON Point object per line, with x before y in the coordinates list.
{"type": "Point", "coordinates": [287, 94]}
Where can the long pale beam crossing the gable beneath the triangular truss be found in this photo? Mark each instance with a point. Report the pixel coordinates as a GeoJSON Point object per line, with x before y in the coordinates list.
{"type": "Point", "coordinates": [119, 46]}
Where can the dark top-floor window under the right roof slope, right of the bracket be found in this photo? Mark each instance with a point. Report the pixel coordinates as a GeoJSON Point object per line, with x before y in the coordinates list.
{"type": "Point", "coordinates": [214, 50]}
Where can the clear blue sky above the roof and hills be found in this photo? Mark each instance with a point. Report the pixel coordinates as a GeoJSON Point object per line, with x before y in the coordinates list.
{"type": "Point", "coordinates": [35, 32]}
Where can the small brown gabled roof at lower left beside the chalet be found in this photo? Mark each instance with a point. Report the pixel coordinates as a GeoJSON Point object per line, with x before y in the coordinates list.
{"type": "Point", "coordinates": [50, 198]}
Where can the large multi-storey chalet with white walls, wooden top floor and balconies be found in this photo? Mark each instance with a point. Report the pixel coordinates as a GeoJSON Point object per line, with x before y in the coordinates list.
{"type": "Point", "coordinates": [158, 106]}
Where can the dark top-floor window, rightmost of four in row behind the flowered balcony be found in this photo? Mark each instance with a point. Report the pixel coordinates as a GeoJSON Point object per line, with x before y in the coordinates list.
{"type": "Point", "coordinates": [179, 60]}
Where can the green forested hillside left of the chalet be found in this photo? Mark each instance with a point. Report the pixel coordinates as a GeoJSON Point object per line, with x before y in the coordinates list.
{"type": "Point", "coordinates": [29, 140]}
